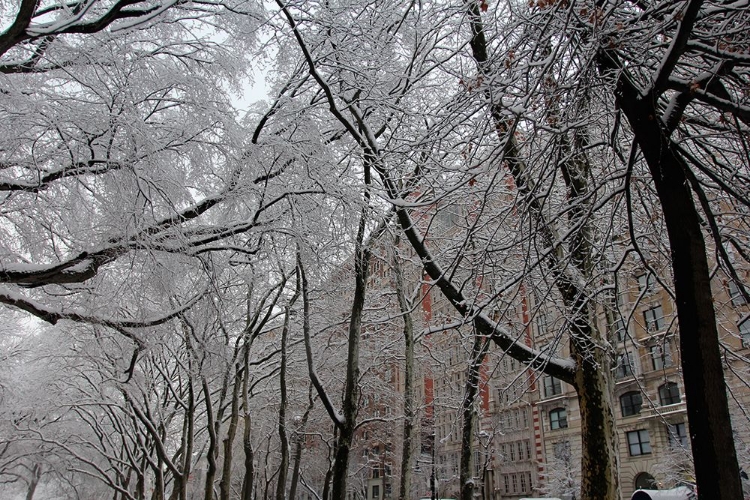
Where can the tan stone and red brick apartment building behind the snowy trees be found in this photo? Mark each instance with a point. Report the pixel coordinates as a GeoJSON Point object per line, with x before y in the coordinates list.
{"type": "Point", "coordinates": [527, 436]}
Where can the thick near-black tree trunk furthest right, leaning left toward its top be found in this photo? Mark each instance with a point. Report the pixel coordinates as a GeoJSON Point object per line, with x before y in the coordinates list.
{"type": "Point", "coordinates": [715, 459]}
